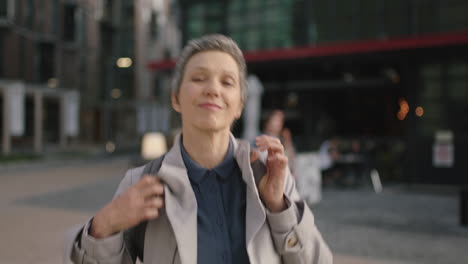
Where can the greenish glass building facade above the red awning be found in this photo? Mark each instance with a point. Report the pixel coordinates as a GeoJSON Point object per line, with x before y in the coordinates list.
{"type": "Point", "coordinates": [268, 24]}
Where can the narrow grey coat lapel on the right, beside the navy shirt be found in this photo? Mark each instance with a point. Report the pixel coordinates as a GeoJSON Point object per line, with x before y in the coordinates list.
{"type": "Point", "coordinates": [255, 212]}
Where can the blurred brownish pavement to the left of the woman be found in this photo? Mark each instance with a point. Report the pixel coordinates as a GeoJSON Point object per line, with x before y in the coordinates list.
{"type": "Point", "coordinates": [39, 205]}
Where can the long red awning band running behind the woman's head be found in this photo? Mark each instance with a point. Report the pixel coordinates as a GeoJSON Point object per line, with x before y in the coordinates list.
{"type": "Point", "coordinates": [342, 48]}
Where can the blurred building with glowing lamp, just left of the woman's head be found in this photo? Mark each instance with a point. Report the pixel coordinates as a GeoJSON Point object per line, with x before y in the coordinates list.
{"type": "Point", "coordinates": [133, 100]}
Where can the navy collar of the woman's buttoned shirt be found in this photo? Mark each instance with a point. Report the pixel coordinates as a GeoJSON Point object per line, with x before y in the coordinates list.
{"type": "Point", "coordinates": [197, 173]}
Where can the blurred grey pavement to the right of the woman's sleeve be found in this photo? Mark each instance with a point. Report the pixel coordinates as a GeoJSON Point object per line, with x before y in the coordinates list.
{"type": "Point", "coordinates": [396, 226]}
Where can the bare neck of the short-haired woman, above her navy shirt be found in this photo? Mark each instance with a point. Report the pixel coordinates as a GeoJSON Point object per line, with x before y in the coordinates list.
{"type": "Point", "coordinates": [207, 149]}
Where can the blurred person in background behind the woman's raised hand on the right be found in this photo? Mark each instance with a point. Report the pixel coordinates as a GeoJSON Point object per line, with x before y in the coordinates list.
{"type": "Point", "coordinates": [274, 126]}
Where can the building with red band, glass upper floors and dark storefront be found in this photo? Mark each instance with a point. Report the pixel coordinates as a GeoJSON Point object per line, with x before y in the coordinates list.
{"type": "Point", "coordinates": [394, 73]}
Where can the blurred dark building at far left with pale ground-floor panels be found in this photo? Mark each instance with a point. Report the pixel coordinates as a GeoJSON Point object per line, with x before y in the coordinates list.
{"type": "Point", "coordinates": [49, 48]}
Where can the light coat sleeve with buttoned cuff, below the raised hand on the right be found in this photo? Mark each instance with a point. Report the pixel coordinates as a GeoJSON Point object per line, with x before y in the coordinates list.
{"type": "Point", "coordinates": [294, 232]}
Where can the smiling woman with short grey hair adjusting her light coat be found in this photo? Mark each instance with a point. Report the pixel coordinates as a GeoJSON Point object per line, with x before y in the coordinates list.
{"type": "Point", "coordinates": [200, 203]}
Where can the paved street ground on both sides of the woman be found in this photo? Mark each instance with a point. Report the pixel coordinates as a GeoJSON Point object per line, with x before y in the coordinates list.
{"type": "Point", "coordinates": [39, 204]}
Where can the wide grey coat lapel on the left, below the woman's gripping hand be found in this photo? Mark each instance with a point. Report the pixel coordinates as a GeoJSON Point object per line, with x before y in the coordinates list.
{"type": "Point", "coordinates": [181, 204]}
